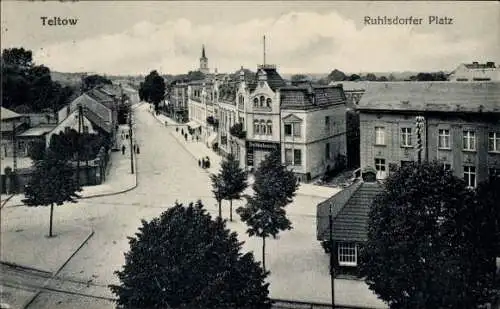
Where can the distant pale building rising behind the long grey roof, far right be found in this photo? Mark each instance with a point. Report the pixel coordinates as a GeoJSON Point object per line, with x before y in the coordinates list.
{"type": "Point", "coordinates": [476, 72]}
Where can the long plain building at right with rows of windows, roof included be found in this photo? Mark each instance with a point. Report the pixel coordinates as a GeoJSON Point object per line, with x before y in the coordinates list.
{"type": "Point", "coordinates": [461, 127]}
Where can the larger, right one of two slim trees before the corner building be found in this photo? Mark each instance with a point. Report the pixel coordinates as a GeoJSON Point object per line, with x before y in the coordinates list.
{"type": "Point", "coordinates": [274, 188]}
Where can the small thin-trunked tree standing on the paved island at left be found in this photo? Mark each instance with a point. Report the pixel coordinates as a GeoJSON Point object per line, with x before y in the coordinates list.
{"type": "Point", "coordinates": [52, 182]}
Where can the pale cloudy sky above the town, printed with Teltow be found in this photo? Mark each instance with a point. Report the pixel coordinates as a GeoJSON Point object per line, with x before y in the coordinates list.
{"type": "Point", "coordinates": [129, 37]}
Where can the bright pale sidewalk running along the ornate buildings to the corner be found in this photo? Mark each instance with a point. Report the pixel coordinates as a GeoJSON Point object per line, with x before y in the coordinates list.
{"type": "Point", "coordinates": [199, 150]}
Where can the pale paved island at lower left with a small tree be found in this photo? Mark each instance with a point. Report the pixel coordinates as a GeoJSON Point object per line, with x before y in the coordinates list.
{"type": "Point", "coordinates": [30, 247]}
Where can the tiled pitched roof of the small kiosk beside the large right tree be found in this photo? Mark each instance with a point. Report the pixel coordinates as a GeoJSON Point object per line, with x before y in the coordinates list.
{"type": "Point", "coordinates": [350, 212]}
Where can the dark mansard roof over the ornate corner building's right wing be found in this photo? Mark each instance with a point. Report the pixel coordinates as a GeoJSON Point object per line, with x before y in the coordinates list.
{"type": "Point", "coordinates": [304, 97]}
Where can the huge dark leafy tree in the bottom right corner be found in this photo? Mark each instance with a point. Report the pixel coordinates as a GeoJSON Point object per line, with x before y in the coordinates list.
{"type": "Point", "coordinates": [429, 244]}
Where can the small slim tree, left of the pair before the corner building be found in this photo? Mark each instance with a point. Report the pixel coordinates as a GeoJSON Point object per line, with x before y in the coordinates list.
{"type": "Point", "coordinates": [234, 179]}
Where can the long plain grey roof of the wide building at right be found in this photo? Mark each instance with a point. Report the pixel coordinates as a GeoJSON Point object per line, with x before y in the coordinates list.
{"type": "Point", "coordinates": [432, 96]}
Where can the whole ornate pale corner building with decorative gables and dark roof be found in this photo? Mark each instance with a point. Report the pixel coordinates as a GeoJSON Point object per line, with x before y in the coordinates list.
{"type": "Point", "coordinates": [259, 113]}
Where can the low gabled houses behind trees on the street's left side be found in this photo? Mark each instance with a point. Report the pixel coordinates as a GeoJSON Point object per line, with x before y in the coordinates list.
{"type": "Point", "coordinates": [96, 111]}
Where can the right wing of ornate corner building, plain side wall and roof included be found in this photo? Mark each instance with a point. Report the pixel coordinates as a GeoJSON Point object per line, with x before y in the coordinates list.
{"type": "Point", "coordinates": [313, 129]}
